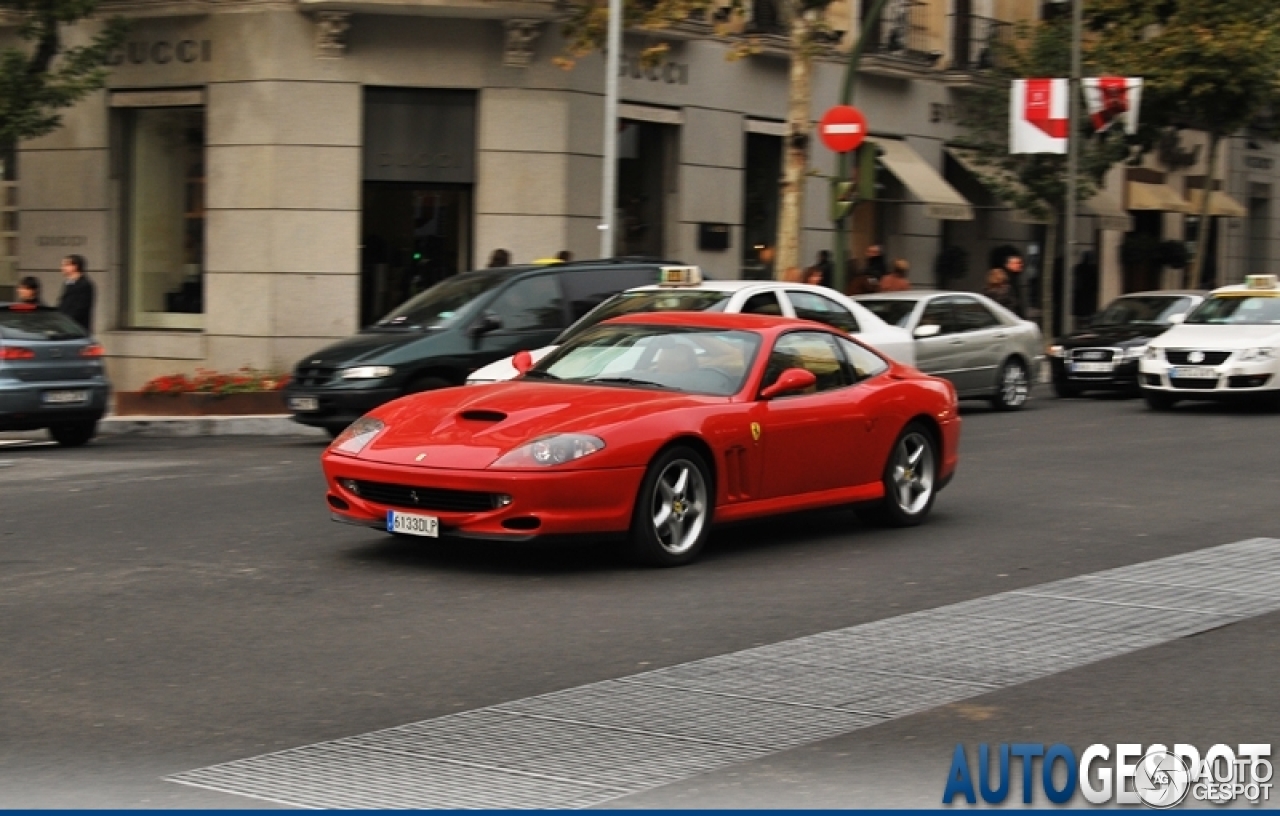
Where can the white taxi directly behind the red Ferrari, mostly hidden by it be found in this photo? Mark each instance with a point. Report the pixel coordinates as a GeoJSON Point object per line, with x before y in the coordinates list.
{"type": "Point", "coordinates": [751, 297]}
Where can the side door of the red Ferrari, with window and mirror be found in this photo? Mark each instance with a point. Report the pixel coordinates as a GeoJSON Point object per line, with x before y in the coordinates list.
{"type": "Point", "coordinates": [808, 442]}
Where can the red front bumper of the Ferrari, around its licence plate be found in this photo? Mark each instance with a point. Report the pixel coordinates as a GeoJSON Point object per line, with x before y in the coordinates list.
{"type": "Point", "coordinates": [551, 505]}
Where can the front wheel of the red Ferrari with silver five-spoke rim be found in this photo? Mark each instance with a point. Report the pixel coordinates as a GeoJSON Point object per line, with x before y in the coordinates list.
{"type": "Point", "coordinates": [673, 516]}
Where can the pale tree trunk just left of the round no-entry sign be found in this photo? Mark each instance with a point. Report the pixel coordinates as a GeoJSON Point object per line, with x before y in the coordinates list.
{"type": "Point", "coordinates": [796, 166]}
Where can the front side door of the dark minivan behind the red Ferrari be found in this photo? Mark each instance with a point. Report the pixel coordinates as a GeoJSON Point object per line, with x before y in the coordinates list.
{"type": "Point", "coordinates": [528, 314]}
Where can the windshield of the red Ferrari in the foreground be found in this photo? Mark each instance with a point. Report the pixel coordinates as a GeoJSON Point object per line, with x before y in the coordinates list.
{"type": "Point", "coordinates": [696, 361]}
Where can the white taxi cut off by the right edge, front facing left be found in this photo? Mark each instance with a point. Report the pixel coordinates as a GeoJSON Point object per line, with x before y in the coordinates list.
{"type": "Point", "coordinates": [1227, 349]}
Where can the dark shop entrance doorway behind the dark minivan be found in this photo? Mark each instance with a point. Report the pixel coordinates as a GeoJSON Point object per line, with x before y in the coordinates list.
{"type": "Point", "coordinates": [414, 236]}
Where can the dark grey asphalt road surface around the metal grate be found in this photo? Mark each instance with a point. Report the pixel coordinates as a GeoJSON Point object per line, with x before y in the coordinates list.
{"type": "Point", "coordinates": [173, 604]}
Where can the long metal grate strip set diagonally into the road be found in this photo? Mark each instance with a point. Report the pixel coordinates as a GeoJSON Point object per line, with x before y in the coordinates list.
{"type": "Point", "coordinates": [596, 744]}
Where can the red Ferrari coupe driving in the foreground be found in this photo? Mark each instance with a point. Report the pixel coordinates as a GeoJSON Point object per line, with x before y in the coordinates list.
{"type": "Point", "coordinates": [656, 427]}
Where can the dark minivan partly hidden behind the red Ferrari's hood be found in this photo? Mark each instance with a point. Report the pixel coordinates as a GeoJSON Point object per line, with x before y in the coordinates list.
{"type": "Point", "coordinates": [440, 337]}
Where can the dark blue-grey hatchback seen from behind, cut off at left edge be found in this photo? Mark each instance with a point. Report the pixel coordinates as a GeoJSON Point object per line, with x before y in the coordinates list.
{"type": "Point", "coordinates": [52, 375]}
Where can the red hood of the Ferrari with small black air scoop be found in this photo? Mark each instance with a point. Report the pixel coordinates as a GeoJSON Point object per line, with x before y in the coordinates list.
{"type": "Point", "coordinates": [469, 428]}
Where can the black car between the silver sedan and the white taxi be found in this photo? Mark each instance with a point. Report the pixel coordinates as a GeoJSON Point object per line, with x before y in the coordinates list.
{"type": "Point", "coordinates": [1105, 355]}
